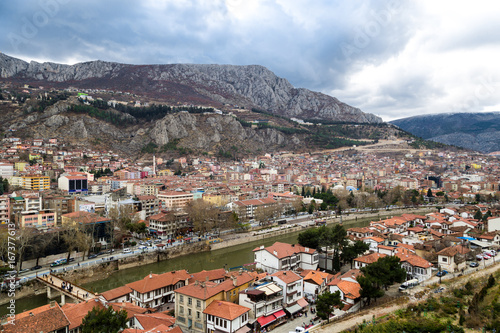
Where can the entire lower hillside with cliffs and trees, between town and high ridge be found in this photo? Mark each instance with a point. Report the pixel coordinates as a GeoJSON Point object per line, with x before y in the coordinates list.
{"type": "Point", "coordinates": [172, 131]}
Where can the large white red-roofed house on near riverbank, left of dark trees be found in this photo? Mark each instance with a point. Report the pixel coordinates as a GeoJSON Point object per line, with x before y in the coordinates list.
{"type": "Point", "coordinates": [283, 256]}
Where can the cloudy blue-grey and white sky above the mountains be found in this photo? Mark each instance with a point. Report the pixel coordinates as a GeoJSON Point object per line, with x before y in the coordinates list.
{"type": "Point", "coordinates": [394, 58]}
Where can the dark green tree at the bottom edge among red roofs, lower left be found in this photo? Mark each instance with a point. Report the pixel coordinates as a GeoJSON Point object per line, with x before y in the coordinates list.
{"type": "Point", "coordinates": [104, 320]}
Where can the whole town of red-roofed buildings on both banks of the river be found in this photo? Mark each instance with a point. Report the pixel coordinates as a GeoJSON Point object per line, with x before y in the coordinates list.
{"type": "Point", "coordinates": [70, 206]}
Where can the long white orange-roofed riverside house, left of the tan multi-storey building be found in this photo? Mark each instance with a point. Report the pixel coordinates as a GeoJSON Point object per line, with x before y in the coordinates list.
{"type": "Point", "coordinates": [157, 289]}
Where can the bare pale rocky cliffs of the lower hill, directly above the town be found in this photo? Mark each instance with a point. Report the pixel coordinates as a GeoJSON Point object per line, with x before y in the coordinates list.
{"type": "Point", "coordinates": [196, 132]}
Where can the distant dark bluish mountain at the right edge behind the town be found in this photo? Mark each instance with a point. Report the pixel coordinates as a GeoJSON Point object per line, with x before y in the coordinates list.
{"type": "Point", "coordinates": [478, 131]}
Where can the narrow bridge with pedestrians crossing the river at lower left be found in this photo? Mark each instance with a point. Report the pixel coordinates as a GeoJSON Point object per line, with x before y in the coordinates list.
{"type": "Point", "coordinates": [65, 288]}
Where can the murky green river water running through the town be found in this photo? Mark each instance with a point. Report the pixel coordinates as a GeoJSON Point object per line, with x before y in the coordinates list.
{"type": "Point", "coordinates": [229, 258]}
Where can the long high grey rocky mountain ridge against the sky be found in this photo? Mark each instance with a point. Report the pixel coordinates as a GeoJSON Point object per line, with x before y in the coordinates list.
{"type": "Point", "coordinates": [248, 86]}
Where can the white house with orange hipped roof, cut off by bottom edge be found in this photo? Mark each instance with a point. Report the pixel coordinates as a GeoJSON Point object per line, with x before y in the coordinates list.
{"type": "Point", "coordinates": [226, 317]}
